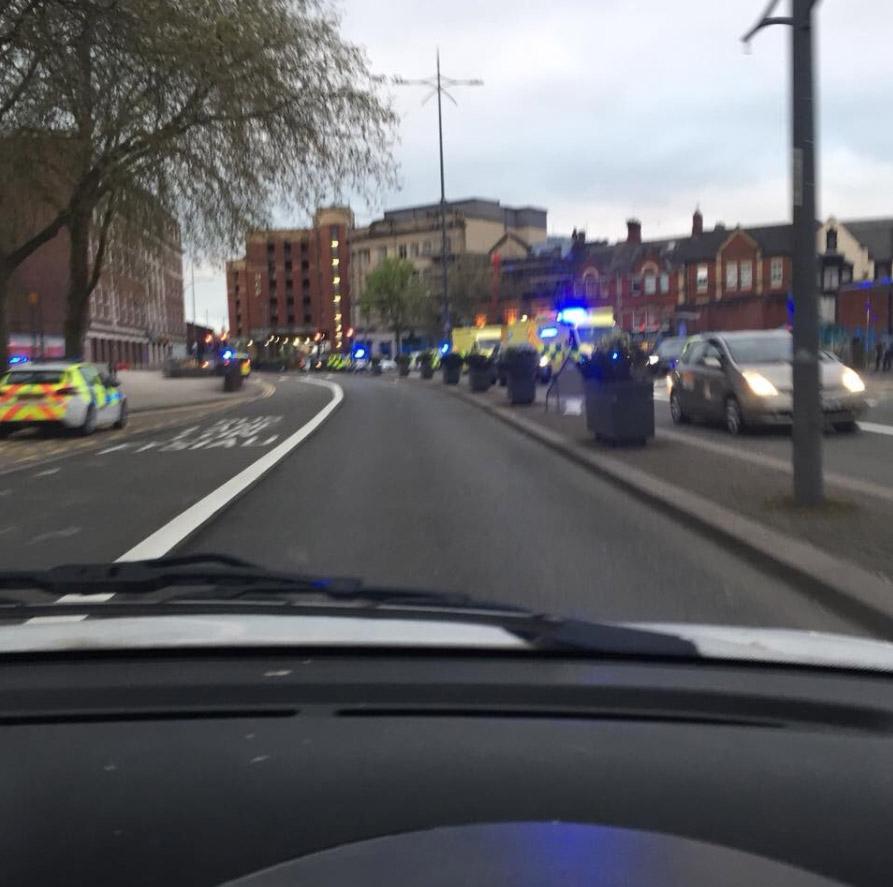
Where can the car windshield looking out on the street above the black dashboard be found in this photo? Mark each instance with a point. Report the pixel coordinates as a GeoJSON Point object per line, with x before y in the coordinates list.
{"type": "Point", "coordinates": [366, 296]}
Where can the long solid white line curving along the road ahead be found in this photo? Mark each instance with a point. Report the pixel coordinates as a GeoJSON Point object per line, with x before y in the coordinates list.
{"type": "Point", "coordinates": [185, 524]}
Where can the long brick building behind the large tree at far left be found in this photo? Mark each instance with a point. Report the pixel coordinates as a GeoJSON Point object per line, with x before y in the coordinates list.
{"type": "Point", "coordinates": [136, 310]}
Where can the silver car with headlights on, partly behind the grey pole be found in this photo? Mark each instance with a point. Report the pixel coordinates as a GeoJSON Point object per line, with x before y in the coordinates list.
{"type": "Point", "coordinates": [746, 378]}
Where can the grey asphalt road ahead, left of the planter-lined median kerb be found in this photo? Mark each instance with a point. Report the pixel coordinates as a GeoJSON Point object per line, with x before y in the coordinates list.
{"type": "Point", "coordinates": [399, 484]}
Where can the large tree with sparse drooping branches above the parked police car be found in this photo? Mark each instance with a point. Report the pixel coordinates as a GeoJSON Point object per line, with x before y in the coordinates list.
{"type": "Point", "coordinates": [209, 111]}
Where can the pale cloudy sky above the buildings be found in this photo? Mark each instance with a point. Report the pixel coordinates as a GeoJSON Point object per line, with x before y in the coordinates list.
{"type": "Point", "coordinates": [598, 110]}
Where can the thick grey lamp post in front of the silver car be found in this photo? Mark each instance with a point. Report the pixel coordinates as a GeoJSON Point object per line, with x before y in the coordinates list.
{"type": "Point", "coordinates": [807, 432]}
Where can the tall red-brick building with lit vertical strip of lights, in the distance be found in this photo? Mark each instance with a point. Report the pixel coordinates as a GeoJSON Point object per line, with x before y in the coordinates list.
{"type": "Point", "coordinates": [294, 283]}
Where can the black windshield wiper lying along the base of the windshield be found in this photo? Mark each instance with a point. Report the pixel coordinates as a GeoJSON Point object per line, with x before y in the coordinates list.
{"type": "Point", "coordinates": [219, 581]}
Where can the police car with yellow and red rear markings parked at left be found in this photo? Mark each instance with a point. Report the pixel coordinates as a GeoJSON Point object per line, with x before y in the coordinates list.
{"type": "Point", "coordinates": [62, 394]}
